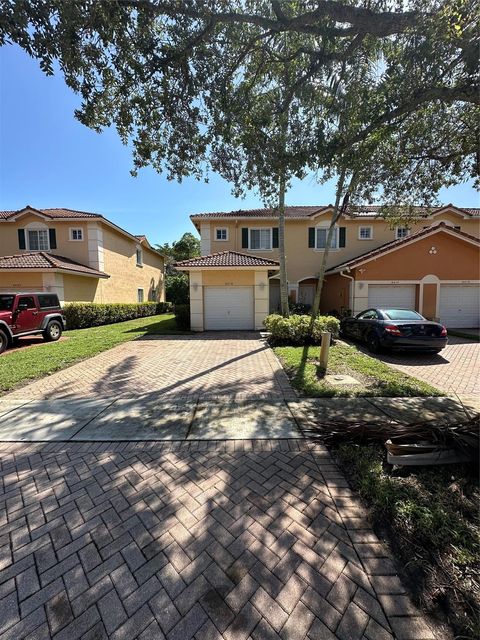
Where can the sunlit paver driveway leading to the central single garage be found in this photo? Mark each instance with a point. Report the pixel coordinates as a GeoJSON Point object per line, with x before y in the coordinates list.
{"type": "Point", "coordinates": [224, 364]}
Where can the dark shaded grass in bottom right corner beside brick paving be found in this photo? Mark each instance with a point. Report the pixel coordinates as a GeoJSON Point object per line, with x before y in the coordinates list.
{"type": "Point", "coordinates": [430, 517]}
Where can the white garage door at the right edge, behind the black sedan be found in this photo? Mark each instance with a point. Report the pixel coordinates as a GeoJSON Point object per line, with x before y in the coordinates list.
{"type": "Point", "coordinates": [460, 305]}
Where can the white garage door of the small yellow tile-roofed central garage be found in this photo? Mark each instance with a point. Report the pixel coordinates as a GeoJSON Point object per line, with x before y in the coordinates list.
{"type": "Point", "coordinates": [228, 308]}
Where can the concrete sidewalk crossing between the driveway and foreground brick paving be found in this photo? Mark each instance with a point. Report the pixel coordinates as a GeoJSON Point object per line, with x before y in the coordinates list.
{"type": "Point", "coordinates": [150, 418]}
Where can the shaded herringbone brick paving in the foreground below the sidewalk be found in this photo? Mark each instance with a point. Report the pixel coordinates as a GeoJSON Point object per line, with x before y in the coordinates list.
{"type": "Point", "coordinates": [204, 540]}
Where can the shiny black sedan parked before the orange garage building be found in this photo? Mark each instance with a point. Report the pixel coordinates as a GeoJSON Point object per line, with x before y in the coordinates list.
{"type": "Point", "coordinates": [395, 329]}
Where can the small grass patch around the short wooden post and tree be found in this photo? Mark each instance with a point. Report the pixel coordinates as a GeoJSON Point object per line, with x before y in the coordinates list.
{"type": "Point", "coordinates": [375, 377]}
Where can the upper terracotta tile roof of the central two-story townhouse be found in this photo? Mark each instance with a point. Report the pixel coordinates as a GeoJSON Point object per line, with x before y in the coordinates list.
{"type": "Point", "coordinates": [305, 212]}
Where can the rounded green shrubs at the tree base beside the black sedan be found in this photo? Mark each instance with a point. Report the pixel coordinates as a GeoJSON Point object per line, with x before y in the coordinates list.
{"type": "Point", "coordinates": [295, 329]}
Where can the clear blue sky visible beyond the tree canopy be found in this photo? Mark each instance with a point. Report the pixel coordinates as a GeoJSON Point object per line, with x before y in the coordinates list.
{"type": "Point", "coordinates": [48, 159]}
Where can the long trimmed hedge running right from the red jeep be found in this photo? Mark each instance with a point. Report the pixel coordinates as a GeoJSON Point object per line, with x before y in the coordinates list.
{"type": "Point", "coordinates": [80, 315]}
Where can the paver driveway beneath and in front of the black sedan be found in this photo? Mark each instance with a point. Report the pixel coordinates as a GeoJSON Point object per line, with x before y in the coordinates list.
{"type": "Point", "coordinates": [456, 369]}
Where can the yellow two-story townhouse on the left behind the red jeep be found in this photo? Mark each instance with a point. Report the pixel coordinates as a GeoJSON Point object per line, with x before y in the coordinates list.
{"type": "Point", "coordinates": [83, 257]}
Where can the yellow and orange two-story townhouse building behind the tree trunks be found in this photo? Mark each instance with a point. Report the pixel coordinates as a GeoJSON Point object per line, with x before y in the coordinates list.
{"type": "Point", "coordinates": [431, 265]}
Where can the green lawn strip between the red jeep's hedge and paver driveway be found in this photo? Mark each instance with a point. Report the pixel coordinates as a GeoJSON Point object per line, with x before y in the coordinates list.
{"type": "Point", "coordinates": [20, 365]}
